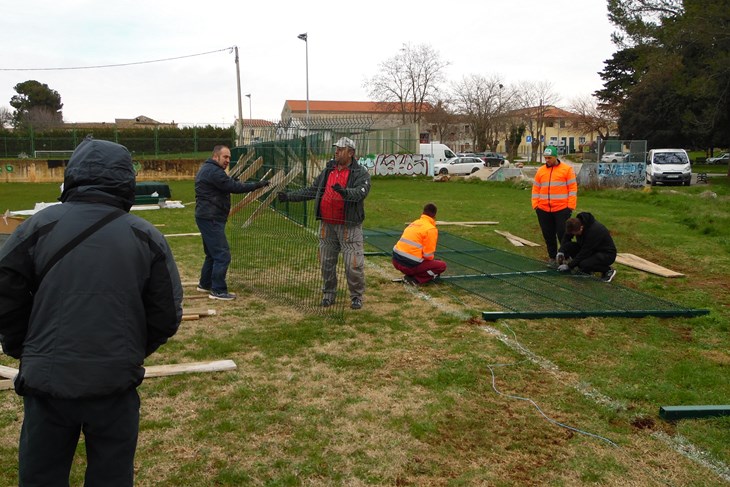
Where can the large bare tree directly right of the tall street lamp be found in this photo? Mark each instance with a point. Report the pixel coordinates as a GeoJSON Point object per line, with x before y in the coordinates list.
{"type": "Point", "coordinates": [408, 82]}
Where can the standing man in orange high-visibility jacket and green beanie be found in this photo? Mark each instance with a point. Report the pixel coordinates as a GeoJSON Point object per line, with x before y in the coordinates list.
{"type": "Point", "coordinates": [554, 197]}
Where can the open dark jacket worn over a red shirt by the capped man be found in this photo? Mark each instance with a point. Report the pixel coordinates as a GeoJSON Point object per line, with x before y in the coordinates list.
{"type": "Point", "coordinates": [356, 190]}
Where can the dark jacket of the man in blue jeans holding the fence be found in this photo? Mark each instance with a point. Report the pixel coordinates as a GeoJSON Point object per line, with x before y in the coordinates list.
{"type": "Point", "coordinates": [213, 188]}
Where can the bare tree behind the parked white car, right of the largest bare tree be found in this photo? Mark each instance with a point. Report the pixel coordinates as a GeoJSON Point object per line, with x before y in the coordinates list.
{"type": "Point", "coordinates": [482, 101]}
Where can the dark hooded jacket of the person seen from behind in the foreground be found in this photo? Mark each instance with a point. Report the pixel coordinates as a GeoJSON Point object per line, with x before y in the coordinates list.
{"type": "Point", "coordinates": [85, 329]}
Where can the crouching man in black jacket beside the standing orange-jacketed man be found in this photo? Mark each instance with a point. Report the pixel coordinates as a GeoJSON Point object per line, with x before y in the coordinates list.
{"type": "Point", "coordinates": [593, 249]}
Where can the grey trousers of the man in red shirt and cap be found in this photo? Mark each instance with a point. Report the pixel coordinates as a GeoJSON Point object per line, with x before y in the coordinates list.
{"type": "Point", "coordinates": [347, 239]}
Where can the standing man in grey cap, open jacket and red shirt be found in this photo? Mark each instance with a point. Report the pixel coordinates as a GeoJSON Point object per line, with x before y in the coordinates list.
{"type": "Point", "coordinates": [339, 193]}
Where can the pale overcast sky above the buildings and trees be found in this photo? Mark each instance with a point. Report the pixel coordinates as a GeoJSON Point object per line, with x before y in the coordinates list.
{"type": "Point", "coordinates": [563, 41]}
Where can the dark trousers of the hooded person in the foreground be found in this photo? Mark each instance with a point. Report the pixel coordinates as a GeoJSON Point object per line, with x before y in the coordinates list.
{"type": "Point", "coordinates": [50, 433]}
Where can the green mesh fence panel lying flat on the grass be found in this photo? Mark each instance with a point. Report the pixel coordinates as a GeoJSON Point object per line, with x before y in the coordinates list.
{"type": "Point", "coordinates": [515, 286]}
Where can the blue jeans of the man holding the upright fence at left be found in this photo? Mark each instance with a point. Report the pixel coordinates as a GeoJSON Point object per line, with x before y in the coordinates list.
{"type": "Point", "coordinates": [217, 255]}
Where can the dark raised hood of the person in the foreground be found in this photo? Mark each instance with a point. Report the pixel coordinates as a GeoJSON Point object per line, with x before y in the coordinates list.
{"type": "Point", "coordinates": [100, 166]}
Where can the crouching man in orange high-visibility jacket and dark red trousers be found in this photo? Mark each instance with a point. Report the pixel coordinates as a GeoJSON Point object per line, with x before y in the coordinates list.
{"type": "Point", "coordinates": [413, 254]}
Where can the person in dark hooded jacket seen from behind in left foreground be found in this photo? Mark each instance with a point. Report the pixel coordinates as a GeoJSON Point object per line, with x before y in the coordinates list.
{"type": "Point", "coordinates": [87, 291]}
